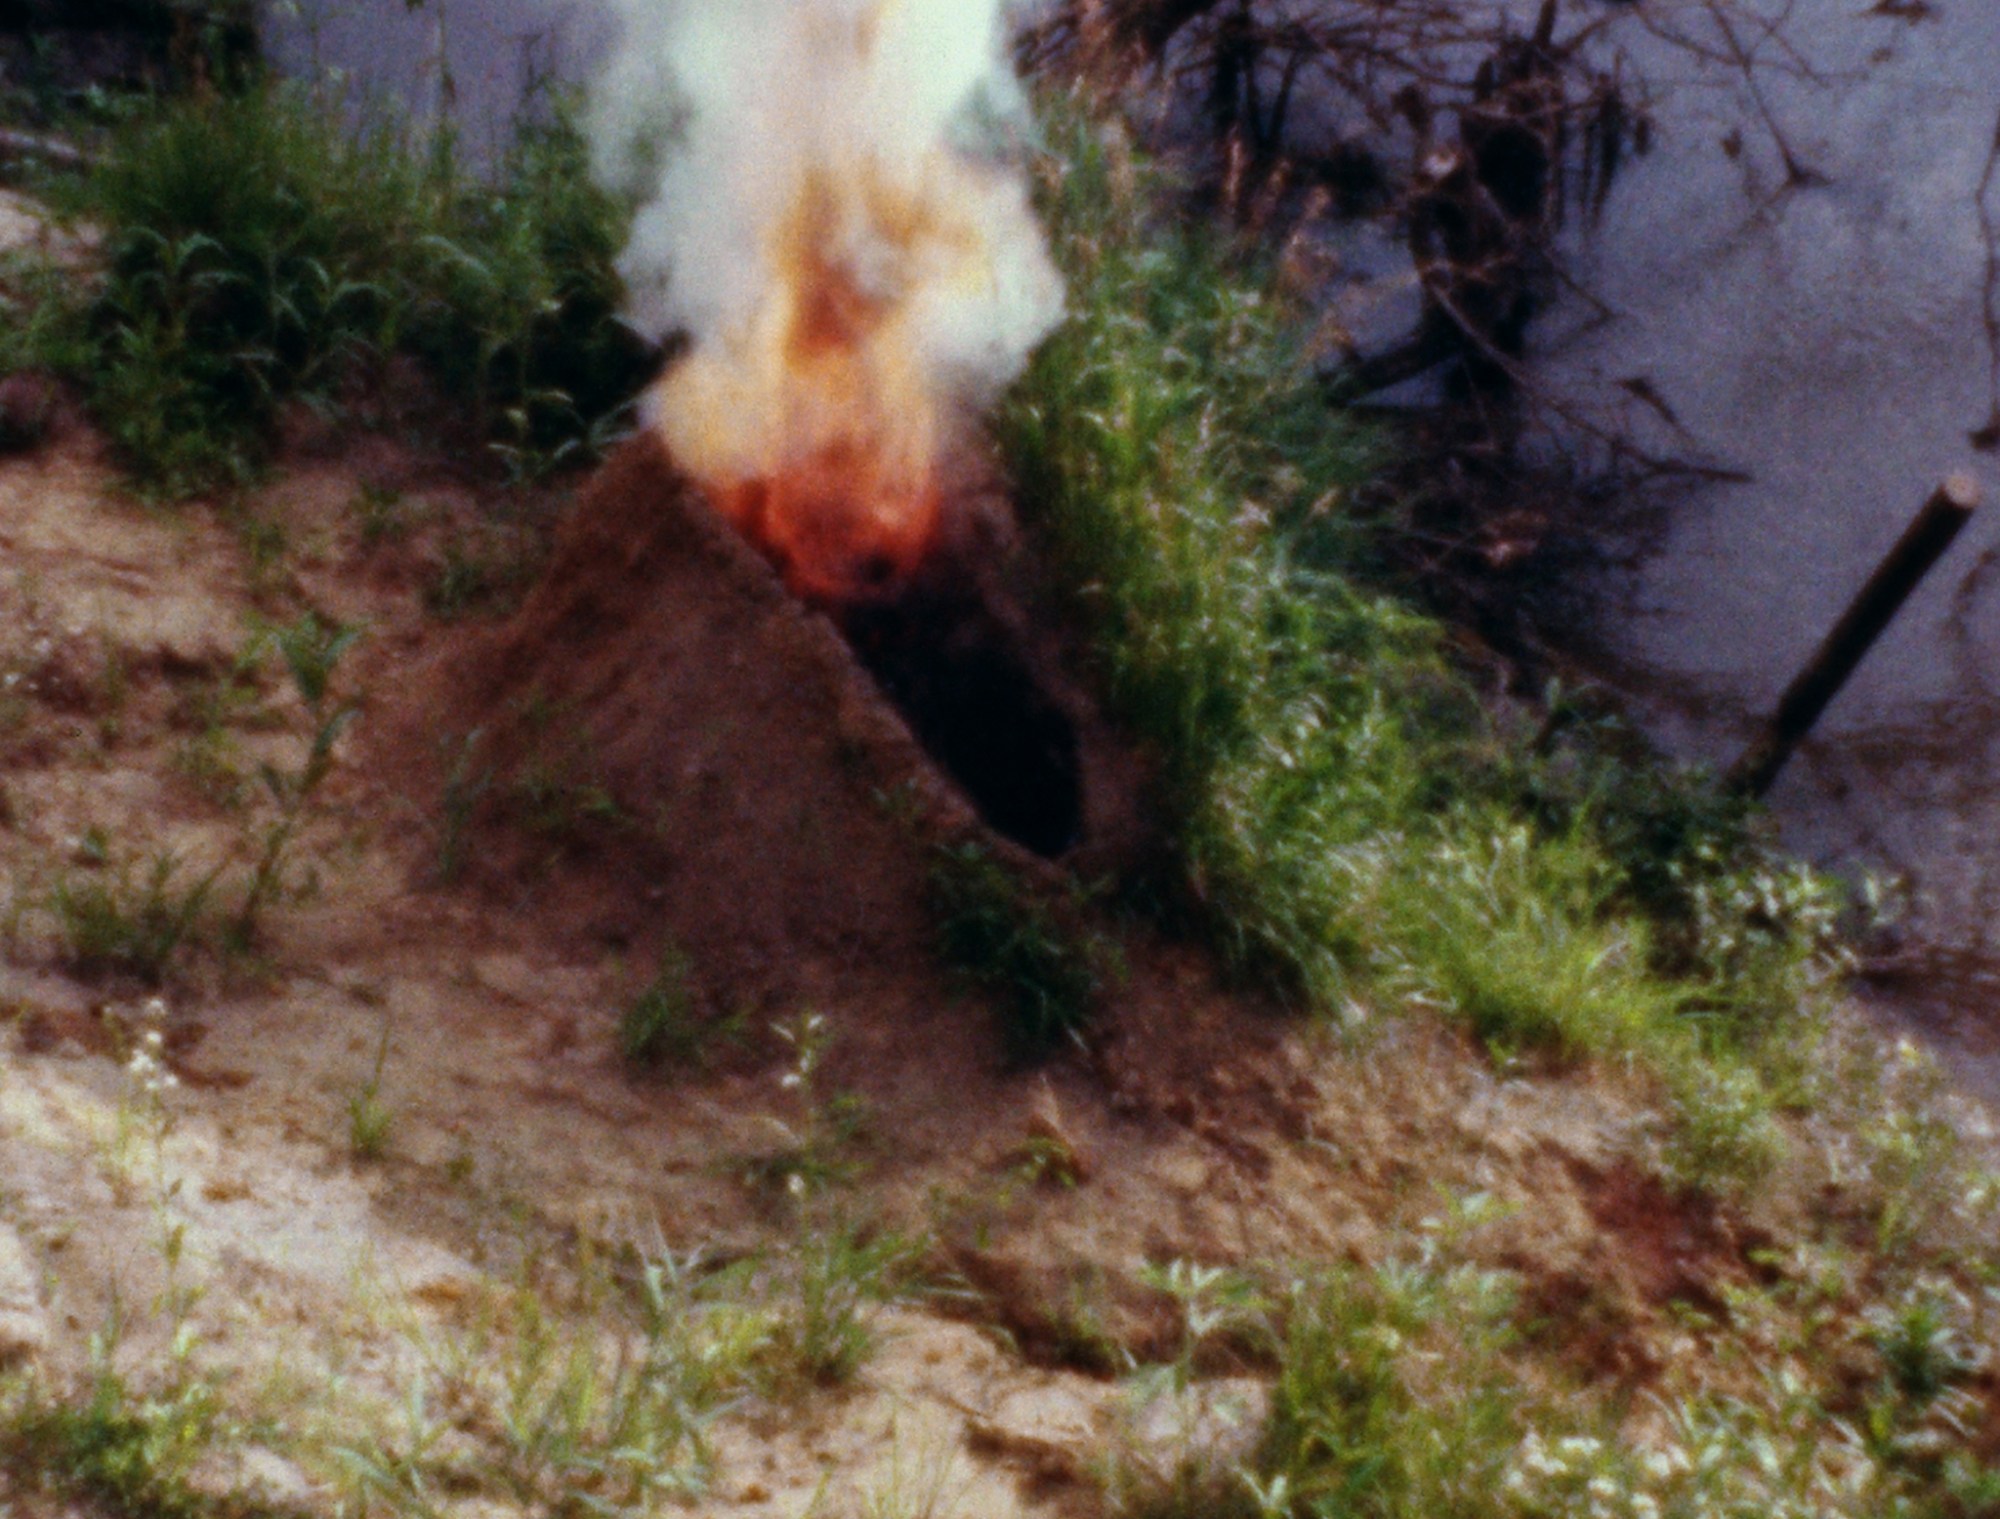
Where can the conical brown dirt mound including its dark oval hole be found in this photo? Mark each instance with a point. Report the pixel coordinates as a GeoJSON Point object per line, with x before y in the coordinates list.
{"type": "Point", "coordinates": [693, 753]}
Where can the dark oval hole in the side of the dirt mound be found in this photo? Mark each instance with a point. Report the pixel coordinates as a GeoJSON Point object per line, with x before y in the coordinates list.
{"type": "Point", "coordinates": [965, 687]}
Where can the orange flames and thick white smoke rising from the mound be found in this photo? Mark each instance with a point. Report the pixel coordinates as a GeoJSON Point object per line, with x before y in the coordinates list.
{"type": "Point", "coordinates": [829, 213]}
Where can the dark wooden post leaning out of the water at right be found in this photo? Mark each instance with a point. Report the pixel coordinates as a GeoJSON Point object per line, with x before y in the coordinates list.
{"type": "Point", "coordinates": [1919, 549]}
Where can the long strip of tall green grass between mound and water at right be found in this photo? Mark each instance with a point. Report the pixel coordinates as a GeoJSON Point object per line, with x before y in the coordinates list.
{"type": "Point", "coordinates": [1349, 822]}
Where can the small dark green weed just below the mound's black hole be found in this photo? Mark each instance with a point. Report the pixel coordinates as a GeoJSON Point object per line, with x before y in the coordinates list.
{"type": "Point", "coordinates": [1005, 936]}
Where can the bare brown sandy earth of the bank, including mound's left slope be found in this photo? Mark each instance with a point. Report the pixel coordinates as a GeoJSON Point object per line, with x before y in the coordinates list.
{"type": "Point", "coordinates": [657, 749]}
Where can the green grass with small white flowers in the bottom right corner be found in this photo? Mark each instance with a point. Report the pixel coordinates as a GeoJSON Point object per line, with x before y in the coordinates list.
{"type": "Point", "coordinates": [1407, 1390]}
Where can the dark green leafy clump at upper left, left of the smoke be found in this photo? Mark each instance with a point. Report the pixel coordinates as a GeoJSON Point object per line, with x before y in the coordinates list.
{"type": "Point", "coordinates": [259, 253]}
